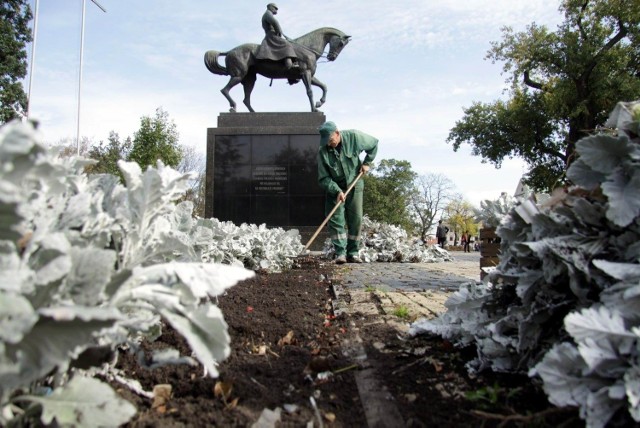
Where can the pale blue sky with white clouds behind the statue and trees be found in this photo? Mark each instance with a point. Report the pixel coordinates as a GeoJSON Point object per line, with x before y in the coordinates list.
{"type": "Point", "coordinates": [408, 72]}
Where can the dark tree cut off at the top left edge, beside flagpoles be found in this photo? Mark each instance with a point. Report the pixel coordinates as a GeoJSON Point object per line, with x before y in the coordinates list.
{"type": "Point", "coordinates": [14, 36]}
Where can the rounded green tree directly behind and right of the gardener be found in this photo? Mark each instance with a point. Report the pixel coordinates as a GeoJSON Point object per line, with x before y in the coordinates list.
{"type": "Point", "coordinates": [388, 191]}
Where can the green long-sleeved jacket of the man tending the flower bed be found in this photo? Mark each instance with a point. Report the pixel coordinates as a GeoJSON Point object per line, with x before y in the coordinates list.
{"type": "Point", "coordinates": [337, 170]}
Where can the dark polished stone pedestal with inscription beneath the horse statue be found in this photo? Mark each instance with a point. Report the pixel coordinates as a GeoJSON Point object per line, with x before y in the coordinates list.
{"type": "Point", "coordinates": [262, 168]}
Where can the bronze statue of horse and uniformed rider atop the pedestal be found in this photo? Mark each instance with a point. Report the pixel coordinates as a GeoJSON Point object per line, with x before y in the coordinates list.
{"type": "Point", "coordinates": [278, 57]}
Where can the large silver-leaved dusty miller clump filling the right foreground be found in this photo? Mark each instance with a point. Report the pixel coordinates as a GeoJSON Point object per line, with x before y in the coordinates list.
{"type": "Point", "coordinates": [564, 301]}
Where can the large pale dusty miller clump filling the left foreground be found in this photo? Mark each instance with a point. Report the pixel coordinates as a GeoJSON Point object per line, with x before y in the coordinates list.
{"type": "Point", "coordinates": [87, 264]}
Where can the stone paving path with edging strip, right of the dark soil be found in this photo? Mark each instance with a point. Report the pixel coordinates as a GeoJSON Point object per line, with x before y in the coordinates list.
{"type": "Point", "coordinates": [394, 294]}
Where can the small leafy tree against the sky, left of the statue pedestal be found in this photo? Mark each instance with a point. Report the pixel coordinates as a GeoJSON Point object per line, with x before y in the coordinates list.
{"type": "Point", "coordinates": [157, 139]}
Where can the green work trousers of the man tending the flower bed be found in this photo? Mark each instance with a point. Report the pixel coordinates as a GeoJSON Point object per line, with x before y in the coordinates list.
{"type": "Point", "coordinates": [345, 224]}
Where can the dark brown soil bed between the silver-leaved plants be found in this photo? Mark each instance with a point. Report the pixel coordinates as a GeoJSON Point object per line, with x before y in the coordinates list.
{"type": "Point", "coordinates": [425, 376]}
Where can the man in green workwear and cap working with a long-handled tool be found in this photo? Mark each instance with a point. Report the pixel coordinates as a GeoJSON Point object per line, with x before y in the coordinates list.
{"type": "Point", "coordinates": [338, 166]}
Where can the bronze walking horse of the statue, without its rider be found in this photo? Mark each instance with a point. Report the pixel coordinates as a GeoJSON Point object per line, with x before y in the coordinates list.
{"type": "Point", "coordinates": [243, 67]}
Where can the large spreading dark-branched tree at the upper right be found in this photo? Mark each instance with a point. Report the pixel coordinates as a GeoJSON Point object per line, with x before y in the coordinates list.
{"type": "Point", "coordinates": [563, 85]}
